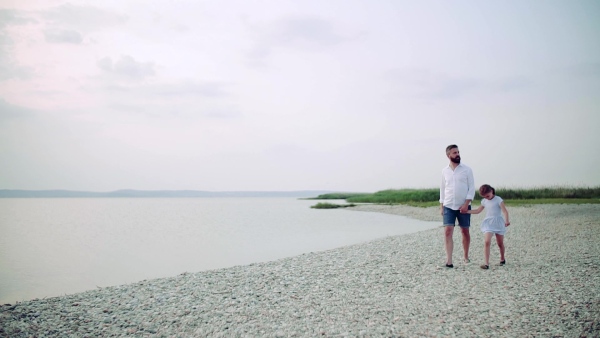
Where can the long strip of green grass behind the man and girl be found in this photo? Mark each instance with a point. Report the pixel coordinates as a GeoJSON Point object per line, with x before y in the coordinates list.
{"type": "Point", "coordinates": [512, 196]}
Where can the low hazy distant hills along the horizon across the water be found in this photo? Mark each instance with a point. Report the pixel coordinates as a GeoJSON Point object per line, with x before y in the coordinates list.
{"type": "Point", "coordinates": [7, 193]}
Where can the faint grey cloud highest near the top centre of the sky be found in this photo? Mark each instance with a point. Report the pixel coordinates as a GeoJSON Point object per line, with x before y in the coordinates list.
{"type": "Point", "coordinates": [302, 33]}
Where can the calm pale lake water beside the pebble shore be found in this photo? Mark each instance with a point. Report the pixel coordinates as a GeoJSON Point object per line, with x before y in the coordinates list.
{"type": "Point", "coordinates": [52, 247]}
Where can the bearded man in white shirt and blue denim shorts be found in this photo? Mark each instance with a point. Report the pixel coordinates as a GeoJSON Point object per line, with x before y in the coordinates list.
{"type": "Point", "coordinates": [456, 193]}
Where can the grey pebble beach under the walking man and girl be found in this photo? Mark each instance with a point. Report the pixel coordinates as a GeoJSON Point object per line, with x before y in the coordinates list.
{"type": "Point", "coordinates": [391, 287]}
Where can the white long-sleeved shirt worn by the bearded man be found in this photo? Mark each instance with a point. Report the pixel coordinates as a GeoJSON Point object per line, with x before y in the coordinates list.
{"type": "Point", "coordinates": [458, 185]}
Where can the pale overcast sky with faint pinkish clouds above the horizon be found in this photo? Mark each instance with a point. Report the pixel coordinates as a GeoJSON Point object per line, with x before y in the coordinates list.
{"type": "Point", "coordinates": [297, 95]}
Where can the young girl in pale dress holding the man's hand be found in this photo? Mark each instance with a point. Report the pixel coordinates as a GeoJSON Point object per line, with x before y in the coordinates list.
{"type": "Point", "coordinates": [493, 222]}
